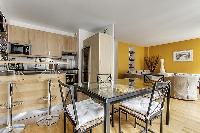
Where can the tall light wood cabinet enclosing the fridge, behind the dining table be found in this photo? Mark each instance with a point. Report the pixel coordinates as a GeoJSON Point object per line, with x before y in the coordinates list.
{"type": "Point", "coordinates": [100, 55]}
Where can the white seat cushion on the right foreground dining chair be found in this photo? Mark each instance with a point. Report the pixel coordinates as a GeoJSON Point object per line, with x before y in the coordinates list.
{"type": "Point", "coordinates": [139, 106]}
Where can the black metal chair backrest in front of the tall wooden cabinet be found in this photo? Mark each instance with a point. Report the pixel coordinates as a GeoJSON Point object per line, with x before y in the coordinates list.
{"type": "Point", "coordinates": [104, 80]}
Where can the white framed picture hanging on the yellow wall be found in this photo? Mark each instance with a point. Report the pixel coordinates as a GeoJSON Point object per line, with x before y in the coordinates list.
{"type": "Point", "coordinates": [186, 55]}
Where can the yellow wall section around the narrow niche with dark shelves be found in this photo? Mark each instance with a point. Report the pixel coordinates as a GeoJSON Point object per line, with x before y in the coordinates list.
{"type": "Point", "coordinates": [123, 56]}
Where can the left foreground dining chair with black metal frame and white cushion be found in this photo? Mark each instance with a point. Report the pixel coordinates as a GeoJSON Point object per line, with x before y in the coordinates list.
{"type": "Point", "coordinates": [84, 115]}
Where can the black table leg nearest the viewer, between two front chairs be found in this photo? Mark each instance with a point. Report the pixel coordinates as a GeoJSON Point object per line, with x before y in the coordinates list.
{"type": "Point", "coordinates": [106, 118]}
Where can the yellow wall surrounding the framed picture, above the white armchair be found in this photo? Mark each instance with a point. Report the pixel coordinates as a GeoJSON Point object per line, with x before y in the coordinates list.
{"type": "Point", "coordinates": [166, 52]}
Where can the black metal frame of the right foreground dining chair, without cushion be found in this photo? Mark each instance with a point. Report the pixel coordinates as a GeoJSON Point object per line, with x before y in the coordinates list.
{"type": "Point", "coordinates": [162, 88]}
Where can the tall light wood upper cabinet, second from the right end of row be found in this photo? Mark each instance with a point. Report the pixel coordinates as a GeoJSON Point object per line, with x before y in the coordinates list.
{"type": "Point", "coordinates": [54, 43]}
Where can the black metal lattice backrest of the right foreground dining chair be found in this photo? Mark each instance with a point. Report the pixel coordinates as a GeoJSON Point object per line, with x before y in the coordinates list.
{"type": "Point", "coordinates": [161, 89]}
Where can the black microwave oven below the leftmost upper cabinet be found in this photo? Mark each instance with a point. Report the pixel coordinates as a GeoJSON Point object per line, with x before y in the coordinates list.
{"type": "Point", "coordinates": [20, 49]}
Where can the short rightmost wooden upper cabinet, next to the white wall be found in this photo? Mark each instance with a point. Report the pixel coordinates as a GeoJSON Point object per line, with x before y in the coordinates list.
{"type": "Point", "coordinates": [69, 44]}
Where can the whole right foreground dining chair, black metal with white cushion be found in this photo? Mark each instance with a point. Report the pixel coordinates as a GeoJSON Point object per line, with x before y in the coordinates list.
{"type": "Point", "coordinates": [146, 109]}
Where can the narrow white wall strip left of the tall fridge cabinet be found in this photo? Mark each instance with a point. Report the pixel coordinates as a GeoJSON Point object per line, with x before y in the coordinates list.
{"type": "Point", "coordinates": [82, 35]}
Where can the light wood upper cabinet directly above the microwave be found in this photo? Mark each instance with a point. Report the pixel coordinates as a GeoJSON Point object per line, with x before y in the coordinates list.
{"type": "Point", "coordinates": [18, 34]}
